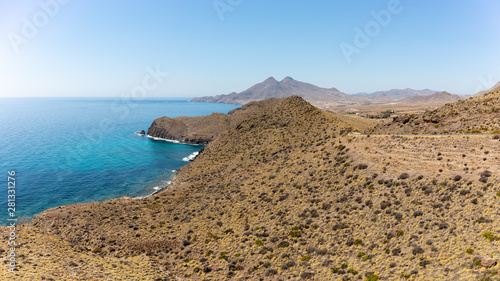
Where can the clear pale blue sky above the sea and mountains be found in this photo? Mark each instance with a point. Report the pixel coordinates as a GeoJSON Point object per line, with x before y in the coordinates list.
{"type": "Point", "coordinates": [188, 48]}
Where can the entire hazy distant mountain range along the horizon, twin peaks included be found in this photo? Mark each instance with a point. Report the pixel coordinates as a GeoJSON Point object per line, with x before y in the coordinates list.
{"type": "Point", "coordinates": [328, 97]}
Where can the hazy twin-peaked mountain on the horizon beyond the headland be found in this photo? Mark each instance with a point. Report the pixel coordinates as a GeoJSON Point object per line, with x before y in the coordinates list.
{"type": "Point", "coordinates": [271, 88]}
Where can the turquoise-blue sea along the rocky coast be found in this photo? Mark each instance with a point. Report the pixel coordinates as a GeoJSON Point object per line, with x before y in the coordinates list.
{"type": "Point", "coordinates": [62, 151]}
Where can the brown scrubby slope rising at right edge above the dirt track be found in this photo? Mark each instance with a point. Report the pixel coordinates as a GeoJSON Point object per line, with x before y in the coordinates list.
{"type": "Point", "coordinates": [477, 114]}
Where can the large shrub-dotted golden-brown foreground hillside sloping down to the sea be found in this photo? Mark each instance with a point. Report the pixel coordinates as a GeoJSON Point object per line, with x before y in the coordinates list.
{"type": "Point", "coordinates": [285, 194]}
